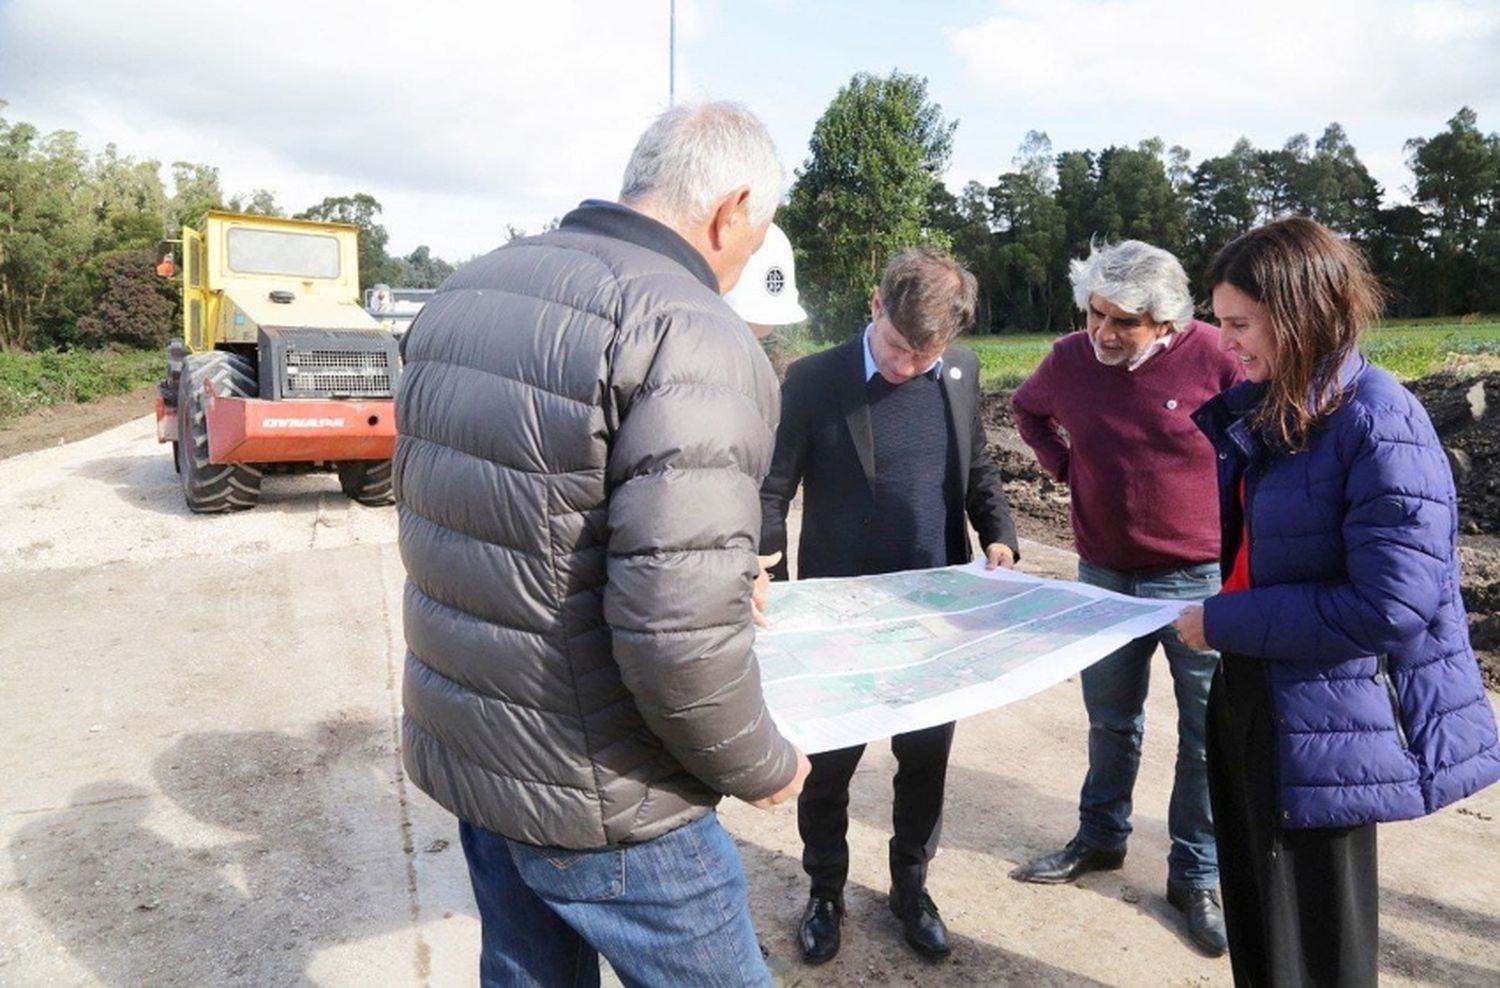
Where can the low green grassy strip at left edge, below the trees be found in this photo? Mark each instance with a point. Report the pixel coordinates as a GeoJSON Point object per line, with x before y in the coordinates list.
{"type": "Point", "coordinates": [31, 382]}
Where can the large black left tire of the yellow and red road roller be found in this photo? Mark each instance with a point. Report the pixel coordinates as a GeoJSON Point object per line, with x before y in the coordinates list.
{"type": "Point", "coordinates": [212, 488]}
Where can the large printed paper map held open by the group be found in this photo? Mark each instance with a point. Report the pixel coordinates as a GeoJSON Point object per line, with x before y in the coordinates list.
{"type": "Point", "coordinates": [853, 660]}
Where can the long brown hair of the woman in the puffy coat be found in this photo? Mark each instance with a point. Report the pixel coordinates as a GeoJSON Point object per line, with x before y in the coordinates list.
{"type": "Point", "coordinates": [1321, 296]}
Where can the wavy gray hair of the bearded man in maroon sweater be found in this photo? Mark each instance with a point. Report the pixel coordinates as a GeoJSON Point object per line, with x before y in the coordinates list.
{"type": "Point", "coordinates": [1138, 278]}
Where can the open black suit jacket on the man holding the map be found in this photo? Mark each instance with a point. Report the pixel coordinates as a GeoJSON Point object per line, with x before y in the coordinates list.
{"type": "Point", "coordinates": [826, 445]}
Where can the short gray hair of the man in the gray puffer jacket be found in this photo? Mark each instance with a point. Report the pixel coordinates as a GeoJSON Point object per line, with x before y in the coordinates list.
{"type": "Point", "coordinates": [695, 155]}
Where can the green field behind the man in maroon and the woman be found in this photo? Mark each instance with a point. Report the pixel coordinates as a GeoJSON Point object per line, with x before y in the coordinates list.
{"type": "Point", "coordinates": [1408, 349]}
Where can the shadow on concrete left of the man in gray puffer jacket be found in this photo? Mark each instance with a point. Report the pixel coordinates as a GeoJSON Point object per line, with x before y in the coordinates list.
{"type": "Point", "coordinates": [283, 869]}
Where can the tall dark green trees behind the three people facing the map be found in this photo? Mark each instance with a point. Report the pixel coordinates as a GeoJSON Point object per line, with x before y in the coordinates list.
{"type": "Point", "coordinates": [872, 185]}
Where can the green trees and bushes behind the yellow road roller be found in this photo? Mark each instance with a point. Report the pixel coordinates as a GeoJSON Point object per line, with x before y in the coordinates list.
{"type": "Point", "coordinates": [80, 236]}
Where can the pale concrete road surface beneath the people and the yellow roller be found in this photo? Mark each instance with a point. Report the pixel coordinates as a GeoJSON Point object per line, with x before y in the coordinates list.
{"type": "Point", "coordinates": [200, 783]}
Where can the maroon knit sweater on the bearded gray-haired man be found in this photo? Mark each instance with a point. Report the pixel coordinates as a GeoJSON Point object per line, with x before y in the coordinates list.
{"type": "Point", "coordinates": [1141, 473]}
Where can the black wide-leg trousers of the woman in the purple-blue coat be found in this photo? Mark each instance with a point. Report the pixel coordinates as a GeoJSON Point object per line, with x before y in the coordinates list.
{"type": "Point", "coordinates": [1301, 908]}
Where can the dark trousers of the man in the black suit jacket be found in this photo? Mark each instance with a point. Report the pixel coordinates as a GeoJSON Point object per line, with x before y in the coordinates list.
{"type": "Point", "coordinates": [823, 812]}
